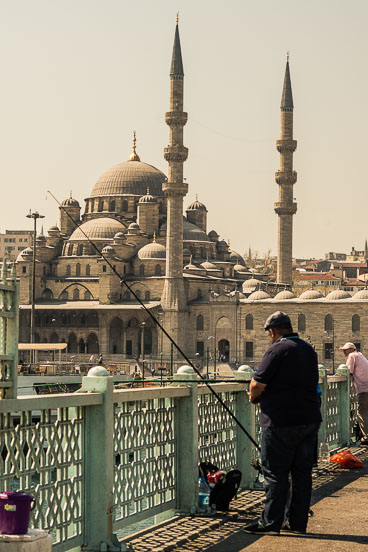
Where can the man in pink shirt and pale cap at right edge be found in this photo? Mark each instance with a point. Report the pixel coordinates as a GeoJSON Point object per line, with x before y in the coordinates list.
{"type": "Point", "coordinates": [358, 368]}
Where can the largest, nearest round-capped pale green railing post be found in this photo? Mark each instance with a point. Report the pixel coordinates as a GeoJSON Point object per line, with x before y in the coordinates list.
{"type": "Point", "coordinates": [99, 464]}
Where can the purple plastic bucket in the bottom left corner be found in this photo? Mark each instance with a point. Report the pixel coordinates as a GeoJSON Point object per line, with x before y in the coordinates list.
{"type": "Point", "coordinates": [15, 510]}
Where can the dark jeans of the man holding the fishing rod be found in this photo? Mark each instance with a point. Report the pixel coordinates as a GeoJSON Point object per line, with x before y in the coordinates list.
{"type": "Point", "coordinates": [288, 450]}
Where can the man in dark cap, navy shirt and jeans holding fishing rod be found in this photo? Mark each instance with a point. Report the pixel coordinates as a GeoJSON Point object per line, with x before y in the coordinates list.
{"type": "Point", "coordinates": [285, 385]}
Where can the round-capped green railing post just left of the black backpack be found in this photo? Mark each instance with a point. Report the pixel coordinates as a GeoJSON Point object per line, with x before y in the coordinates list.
{"type": "Point", "coordinates": [186, 431]}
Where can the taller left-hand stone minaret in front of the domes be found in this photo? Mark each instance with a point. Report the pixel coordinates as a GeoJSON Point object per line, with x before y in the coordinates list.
{"type": "Point", "coordinates": [173, 296]}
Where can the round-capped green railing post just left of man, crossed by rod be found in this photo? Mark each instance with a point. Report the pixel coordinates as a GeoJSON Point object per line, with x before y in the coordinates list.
{"type": "Point", "coordinates": [246, 415]}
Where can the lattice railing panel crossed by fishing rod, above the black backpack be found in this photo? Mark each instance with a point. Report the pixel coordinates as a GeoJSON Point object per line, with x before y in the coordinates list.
{"type": "Point", "coordinates": [217, 431]}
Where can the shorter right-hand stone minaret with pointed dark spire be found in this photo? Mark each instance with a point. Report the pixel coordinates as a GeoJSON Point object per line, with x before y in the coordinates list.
{"type": "Point", "coordinates": [286, 177]}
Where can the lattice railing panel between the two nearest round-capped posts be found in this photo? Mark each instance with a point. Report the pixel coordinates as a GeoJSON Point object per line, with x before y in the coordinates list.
{"type": "Point", "coordinates": [145, 463]}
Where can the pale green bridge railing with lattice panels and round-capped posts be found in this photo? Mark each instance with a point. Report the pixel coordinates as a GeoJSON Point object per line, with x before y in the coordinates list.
{"type": "Point", "coordinates": [100, 460]}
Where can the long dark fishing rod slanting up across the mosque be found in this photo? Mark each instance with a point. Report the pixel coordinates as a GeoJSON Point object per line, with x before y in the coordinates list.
{"type": "Point", "coordinates": [158, 324]}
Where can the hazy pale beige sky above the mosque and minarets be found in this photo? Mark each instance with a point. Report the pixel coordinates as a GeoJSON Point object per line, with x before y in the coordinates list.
{"type": "Point", "coordinates": [78, 76]}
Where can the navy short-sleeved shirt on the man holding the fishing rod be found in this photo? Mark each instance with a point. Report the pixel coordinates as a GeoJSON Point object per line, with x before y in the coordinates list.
{"type": "Point", "coordinates": [289, 368]}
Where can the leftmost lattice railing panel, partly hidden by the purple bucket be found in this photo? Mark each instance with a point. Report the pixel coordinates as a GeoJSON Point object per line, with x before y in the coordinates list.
{"type": "Point", "coordinates": [41, 452]}
